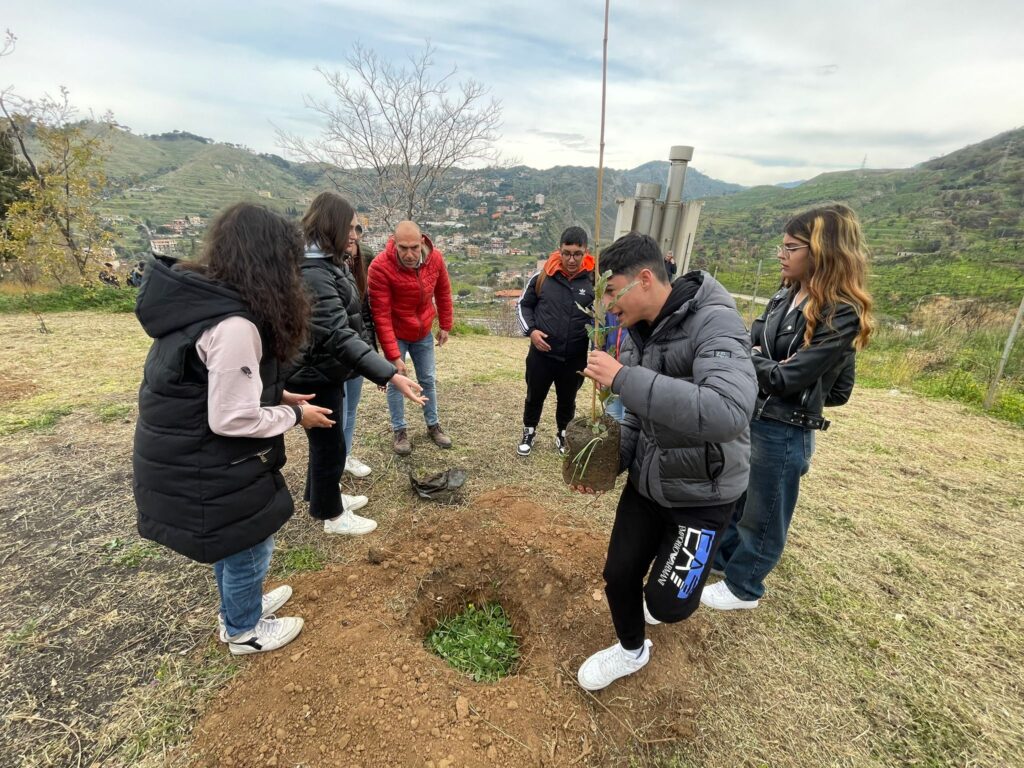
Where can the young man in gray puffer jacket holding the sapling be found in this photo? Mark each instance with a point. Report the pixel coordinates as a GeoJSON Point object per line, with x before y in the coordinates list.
{"type": "Point", "coordinates": [689, 387]}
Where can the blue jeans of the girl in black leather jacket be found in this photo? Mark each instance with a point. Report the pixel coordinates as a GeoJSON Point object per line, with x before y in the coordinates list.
{"type": "Point", "coordinates": [781, 455]}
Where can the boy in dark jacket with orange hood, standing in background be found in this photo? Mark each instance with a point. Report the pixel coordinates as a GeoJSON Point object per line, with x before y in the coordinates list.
{"type": "Point", "coordinates": [558, 331]}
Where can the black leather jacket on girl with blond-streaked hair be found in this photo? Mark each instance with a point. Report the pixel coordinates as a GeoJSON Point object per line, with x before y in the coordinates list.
{"type": "Point", "coordinates": [814, 377]}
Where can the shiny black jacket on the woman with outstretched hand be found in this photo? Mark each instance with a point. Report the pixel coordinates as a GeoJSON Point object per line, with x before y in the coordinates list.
{"type": "Point", "coordinates": [335, 353]}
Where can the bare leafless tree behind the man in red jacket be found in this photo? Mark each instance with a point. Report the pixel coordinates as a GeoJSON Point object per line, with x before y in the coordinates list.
{"type": "Point", "coordinates": [393, 133]}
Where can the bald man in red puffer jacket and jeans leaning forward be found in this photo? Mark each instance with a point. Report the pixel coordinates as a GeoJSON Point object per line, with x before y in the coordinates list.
{"type": "Point", "coordinates": [407, 280]}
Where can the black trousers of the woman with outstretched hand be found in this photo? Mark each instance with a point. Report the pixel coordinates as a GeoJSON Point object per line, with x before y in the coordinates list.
{"type": "Point", "coordinates": [327, 456]}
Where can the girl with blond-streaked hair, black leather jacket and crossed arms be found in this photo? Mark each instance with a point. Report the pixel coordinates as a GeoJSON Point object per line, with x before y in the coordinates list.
{"type": "Point", "coordinates": [804, 350]}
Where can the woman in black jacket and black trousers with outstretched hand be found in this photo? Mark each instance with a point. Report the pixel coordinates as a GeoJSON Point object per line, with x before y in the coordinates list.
{"type": "Point", "coordinates": [335, 354]}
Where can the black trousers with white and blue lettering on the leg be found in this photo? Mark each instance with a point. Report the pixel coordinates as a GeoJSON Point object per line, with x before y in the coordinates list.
{"type": "Point", "coordinates": [679, 541]}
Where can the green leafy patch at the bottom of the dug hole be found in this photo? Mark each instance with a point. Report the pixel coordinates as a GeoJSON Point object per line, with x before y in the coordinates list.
{"type": "Point", "coordinates": [479, 642]}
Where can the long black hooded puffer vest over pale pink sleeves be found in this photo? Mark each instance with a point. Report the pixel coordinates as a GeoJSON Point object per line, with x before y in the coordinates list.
{"type": "Point", "coordinates": [200, 494]}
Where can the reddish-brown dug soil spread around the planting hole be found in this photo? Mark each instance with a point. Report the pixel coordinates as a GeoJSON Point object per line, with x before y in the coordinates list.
{"type": "Point", "coordinates": [359, 688]}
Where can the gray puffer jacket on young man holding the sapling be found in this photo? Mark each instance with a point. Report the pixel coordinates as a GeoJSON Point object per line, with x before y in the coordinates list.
{"type": "Point", "coordinates": [690, 390]}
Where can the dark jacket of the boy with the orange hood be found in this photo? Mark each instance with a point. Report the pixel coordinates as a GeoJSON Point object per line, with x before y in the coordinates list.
{"type": "Point", "coordinates": [554, 311]}
